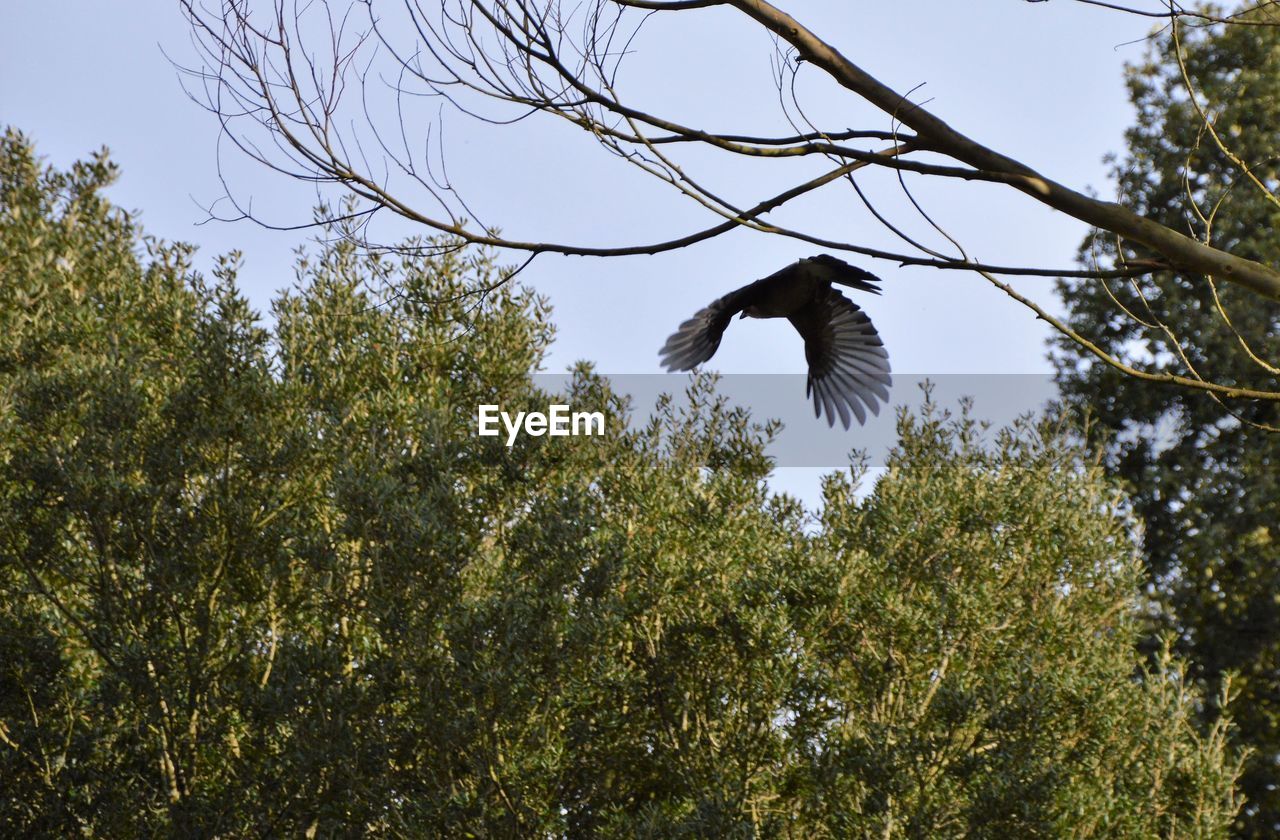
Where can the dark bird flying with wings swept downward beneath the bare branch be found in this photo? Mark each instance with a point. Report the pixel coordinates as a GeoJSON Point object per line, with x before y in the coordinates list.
{"type": "Point", "coordinates": [849, 372]}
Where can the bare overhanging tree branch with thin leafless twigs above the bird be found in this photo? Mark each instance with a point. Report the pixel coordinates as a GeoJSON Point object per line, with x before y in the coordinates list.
{"type": "Point", "coordinates": [292, 84]}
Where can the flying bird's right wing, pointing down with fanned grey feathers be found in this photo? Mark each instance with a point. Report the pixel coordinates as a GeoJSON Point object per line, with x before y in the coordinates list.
{"type": "Point", "coordinates": [848, 362]}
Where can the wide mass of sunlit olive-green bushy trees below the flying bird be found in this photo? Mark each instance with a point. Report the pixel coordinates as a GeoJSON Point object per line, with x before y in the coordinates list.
{"type": "Point", "coordinates": [264, 581]}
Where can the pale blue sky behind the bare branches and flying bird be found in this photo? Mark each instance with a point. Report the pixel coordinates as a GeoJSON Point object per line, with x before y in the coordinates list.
{"type": "Point", "coordinates": [1041, 83]}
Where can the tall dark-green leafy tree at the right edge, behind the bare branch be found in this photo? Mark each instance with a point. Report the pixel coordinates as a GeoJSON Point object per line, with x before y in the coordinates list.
{"type": "Point", "coordinates": [1204, 481]}
